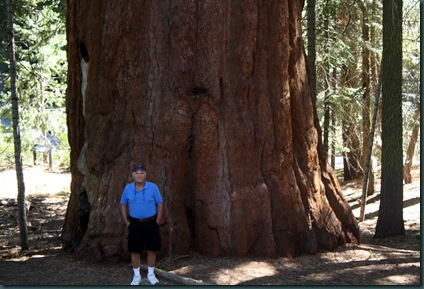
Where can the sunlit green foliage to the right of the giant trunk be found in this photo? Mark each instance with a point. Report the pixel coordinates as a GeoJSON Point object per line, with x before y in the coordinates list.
{"type": "Point", "coordinates": [338, 60]}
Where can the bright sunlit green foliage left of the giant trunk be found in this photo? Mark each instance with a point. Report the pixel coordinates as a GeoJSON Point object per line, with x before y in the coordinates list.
{"type": "Point", "coordinates": [40, 44]}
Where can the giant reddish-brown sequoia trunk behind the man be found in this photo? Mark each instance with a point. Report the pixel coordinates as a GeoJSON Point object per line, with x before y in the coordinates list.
{"type": "Point", "coordinates": [213, 97]}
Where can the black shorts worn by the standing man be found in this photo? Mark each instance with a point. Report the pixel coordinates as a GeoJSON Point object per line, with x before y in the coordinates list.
{"type": "Point", "coordinates": [143, 236]}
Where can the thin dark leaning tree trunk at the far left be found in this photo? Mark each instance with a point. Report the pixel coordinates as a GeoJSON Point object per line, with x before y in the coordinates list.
{"type": "Point", "coordinates": [16, 131]}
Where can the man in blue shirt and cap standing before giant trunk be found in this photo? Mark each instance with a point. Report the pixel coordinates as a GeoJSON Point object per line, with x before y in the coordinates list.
{"type": "Point", "coordinates": [145, 205]}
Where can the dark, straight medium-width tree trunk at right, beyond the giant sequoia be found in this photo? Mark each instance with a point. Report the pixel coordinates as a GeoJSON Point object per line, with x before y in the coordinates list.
{"type": "Point", "coordinates": [390, 214]}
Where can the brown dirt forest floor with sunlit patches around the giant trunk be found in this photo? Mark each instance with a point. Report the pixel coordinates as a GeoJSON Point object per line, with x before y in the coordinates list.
{"type": "Point", "coordinates": [389, 261]}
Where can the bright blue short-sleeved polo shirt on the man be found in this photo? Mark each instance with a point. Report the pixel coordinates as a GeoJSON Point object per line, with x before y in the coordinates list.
{"type": "Point", "coordinates": [142, 203]}
